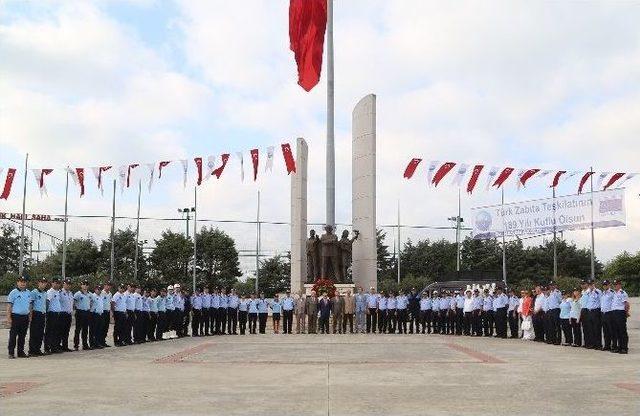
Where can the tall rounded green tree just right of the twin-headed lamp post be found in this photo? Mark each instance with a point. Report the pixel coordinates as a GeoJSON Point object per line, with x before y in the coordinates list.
{"type": "Point", "coordinates": [217, 258]}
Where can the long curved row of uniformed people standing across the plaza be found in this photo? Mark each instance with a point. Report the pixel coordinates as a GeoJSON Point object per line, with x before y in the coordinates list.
{"type": "Point", "coordinates": [580, 318]}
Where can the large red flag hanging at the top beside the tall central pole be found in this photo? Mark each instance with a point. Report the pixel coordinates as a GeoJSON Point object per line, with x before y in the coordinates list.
{"type": "Point", "coordinates": [307, 24]}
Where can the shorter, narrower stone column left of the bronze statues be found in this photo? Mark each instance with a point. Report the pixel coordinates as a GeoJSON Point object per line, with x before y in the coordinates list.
{"type": "Point", "coordinates": [299, 218]}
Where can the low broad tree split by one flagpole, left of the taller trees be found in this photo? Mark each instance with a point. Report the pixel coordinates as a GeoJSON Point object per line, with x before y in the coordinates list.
{"type": "Point", "coordinates": [82, 259]}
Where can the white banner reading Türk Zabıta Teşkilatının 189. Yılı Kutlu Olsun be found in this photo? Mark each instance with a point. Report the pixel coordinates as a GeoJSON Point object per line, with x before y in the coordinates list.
{"type": "Point", "coordinates": [542, 216]}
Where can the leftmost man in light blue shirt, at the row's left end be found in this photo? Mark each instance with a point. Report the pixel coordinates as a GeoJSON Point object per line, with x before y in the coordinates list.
{"type": "Point", "coordinates": [20, 302]}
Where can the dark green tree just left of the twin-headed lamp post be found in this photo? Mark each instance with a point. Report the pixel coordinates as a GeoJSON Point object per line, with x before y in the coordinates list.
{"type": "Point", "coordinates": [170, 259]}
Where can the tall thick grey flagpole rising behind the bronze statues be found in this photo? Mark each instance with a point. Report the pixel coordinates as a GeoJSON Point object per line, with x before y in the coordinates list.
{"type": "Point", "coordinates": [331, 154]}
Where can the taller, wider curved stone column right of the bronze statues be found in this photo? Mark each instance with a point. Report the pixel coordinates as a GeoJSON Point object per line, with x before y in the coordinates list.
{"type": "Point", "coordinates": [363, 188]}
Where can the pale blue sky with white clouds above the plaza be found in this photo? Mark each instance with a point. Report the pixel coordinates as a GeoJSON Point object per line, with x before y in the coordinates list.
{"type": "Point", "coordinates": [551, 85]}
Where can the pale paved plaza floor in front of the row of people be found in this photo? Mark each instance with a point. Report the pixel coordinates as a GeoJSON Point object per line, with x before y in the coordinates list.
{"type": "Point", "coordinates": [325, 375]}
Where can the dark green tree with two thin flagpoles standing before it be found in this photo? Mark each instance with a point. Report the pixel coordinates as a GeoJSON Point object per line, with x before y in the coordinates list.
{"type": "Point", "coordinates": [125, 248]}
